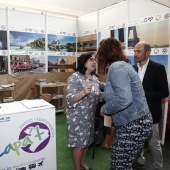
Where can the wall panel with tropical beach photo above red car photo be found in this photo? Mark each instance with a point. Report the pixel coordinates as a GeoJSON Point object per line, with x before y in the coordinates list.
{"type": "Point", "coordinates": [27, 42]}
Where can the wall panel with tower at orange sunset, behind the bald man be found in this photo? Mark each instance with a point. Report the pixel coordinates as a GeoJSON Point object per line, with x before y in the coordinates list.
{"type": "Point", "coordinates": [155, 30]}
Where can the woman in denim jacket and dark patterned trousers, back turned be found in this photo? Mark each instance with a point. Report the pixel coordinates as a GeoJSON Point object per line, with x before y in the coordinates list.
{"type": "Point", "coordinates": [126, 103]}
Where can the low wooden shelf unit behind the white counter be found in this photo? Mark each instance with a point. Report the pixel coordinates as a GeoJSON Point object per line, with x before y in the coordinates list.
{"type": "Point", "coordinates": [57, 91]}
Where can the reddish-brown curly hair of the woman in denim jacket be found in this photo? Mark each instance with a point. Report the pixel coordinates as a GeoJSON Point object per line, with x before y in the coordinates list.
{"type": "Point", "coordinates": [109, 51]}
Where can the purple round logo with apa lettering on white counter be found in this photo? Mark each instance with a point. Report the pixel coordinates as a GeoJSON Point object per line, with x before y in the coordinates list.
{"type": "Point", "coordinates": [33, 138]}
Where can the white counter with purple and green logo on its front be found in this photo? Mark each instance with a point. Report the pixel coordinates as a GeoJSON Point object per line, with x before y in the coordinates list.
{"type": "Point", "coordinates": [28, 135]}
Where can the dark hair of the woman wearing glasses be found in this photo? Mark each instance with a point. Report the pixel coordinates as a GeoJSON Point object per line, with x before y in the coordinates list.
{"type": "Point", "coordinates": [82, 61]}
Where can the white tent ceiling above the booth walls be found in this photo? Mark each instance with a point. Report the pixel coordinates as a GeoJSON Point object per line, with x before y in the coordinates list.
{"type": "Point", "coordinates": [74, 8]}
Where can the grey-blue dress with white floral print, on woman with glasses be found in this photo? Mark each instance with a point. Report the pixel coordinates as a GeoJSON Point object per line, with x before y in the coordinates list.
{"type": "Point", "coordinates": [80, 116]}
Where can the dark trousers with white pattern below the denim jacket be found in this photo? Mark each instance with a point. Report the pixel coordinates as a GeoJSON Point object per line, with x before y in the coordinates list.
{"type": "Point", "coordinates": [129, 140]}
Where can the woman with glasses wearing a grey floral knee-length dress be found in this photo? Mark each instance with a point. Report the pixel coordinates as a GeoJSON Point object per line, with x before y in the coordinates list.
{"type": "Point", "coordinates": [82, 98]}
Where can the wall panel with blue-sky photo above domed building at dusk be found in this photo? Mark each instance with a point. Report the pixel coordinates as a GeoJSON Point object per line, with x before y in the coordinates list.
{"type": "Point", "coordinates": [61, 44]}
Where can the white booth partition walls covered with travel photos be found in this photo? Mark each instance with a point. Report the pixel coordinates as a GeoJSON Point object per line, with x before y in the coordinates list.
{"type": "Point", "coordinates": [41, 42]}
